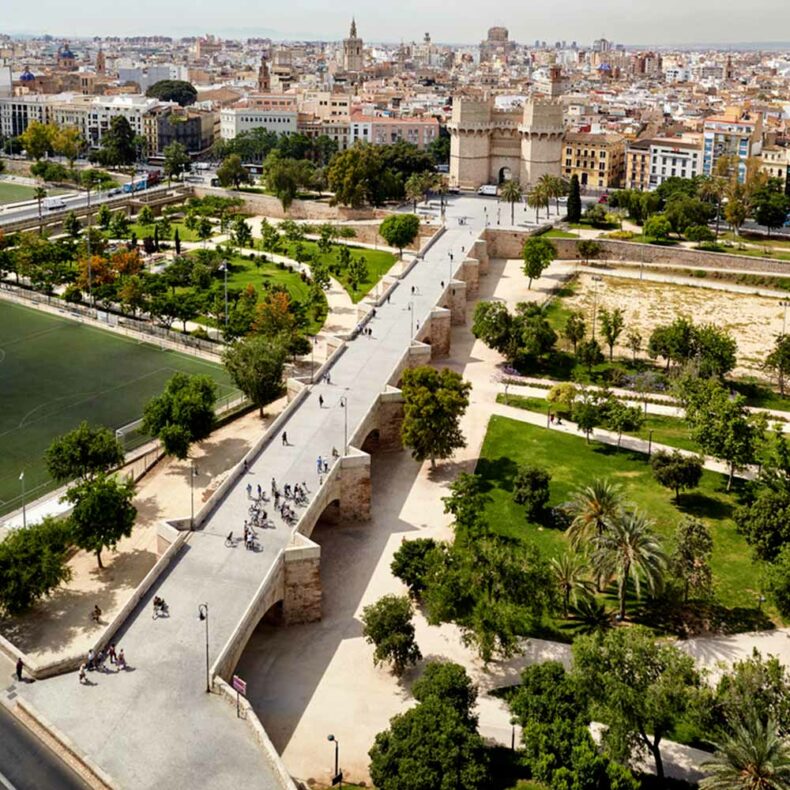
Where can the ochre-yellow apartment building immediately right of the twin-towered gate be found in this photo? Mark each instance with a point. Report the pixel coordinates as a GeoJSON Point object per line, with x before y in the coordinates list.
{"type": "Point", "coordinates": [598, 159]}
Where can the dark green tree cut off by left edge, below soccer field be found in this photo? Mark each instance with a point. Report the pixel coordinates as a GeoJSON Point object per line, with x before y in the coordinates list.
{"type": "Point", "coordinates": [33, 563]}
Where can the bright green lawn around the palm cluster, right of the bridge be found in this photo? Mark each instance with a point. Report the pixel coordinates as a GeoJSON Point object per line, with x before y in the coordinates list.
{"type": "Point", "coordinates": [573, 463]}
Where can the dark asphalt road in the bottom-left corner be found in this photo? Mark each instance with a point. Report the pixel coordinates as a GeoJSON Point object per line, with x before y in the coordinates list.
{"type": "Point", "coordinates": [26, 764]}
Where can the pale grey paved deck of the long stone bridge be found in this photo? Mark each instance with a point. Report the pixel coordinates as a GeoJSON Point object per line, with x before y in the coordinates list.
{"type": "Point", "coordinates": [159, 712]}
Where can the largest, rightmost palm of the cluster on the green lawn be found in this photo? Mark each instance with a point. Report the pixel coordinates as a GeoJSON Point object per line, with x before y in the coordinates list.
{"type": "Point", "coordinates": [629, 549]}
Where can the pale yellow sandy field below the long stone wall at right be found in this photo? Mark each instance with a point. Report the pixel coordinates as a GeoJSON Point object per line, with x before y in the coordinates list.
{"type": "Point", "coordinates": [753, 320]}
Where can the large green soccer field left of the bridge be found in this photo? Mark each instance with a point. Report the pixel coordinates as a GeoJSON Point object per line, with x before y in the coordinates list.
{"type": "Point", "coordinates": [55, 372]}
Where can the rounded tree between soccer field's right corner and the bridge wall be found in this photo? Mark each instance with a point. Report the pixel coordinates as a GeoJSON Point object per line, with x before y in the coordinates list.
{"type": "Point", "coordinates": [256, 365]}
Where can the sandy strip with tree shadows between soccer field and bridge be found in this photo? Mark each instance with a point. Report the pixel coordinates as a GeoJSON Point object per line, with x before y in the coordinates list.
{"type": "Point", "coordinates": [61, 625]}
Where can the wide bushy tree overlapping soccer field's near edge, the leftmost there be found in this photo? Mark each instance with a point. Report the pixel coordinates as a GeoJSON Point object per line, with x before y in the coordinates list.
{"type": "Point", "coordinates": [83, 453]}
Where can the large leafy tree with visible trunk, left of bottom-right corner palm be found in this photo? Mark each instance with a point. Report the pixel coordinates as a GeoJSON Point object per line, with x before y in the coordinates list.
{"type": "Point", "coordinates": [640, 686]}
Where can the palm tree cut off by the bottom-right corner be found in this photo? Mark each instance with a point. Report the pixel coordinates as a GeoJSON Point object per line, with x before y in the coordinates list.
{"type": "Point", "coordinates": [753, 757]}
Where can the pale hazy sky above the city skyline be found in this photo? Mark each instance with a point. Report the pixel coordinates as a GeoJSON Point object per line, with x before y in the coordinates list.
{"type": "Point", "coordinates": [628, 21]}
